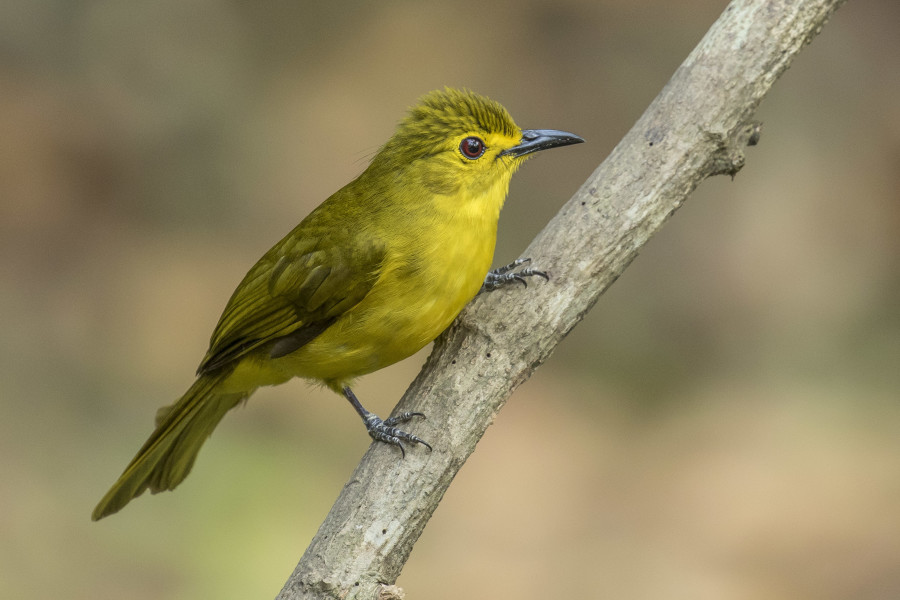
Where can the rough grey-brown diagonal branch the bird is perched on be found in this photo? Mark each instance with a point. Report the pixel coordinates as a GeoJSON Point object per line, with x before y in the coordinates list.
{"type": "Point", "coordinates": [697, 127]}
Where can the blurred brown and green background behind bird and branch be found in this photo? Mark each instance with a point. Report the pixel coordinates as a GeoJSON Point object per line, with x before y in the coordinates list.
{"type": "Point", "coordinates": [723, 425]}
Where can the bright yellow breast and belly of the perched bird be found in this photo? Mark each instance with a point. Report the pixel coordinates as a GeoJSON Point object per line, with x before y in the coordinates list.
{"type": "Point", "coordinates": [427, 279]}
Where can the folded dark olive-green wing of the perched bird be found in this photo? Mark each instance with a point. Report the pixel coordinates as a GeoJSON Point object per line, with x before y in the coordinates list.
{"type": "Point", "coordinates": [295, 292]}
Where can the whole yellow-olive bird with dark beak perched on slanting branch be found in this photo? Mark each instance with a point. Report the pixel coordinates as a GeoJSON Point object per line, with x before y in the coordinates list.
{"type": "Point", "coordinates": [368, 278]}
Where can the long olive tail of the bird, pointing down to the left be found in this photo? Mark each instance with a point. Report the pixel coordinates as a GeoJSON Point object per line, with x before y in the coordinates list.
{"type": "Point", "coordinates": [168, 455]}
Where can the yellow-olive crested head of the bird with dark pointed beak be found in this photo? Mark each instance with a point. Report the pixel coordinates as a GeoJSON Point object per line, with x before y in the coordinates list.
{"type": "Point", "coordinates": [456, 141]}
